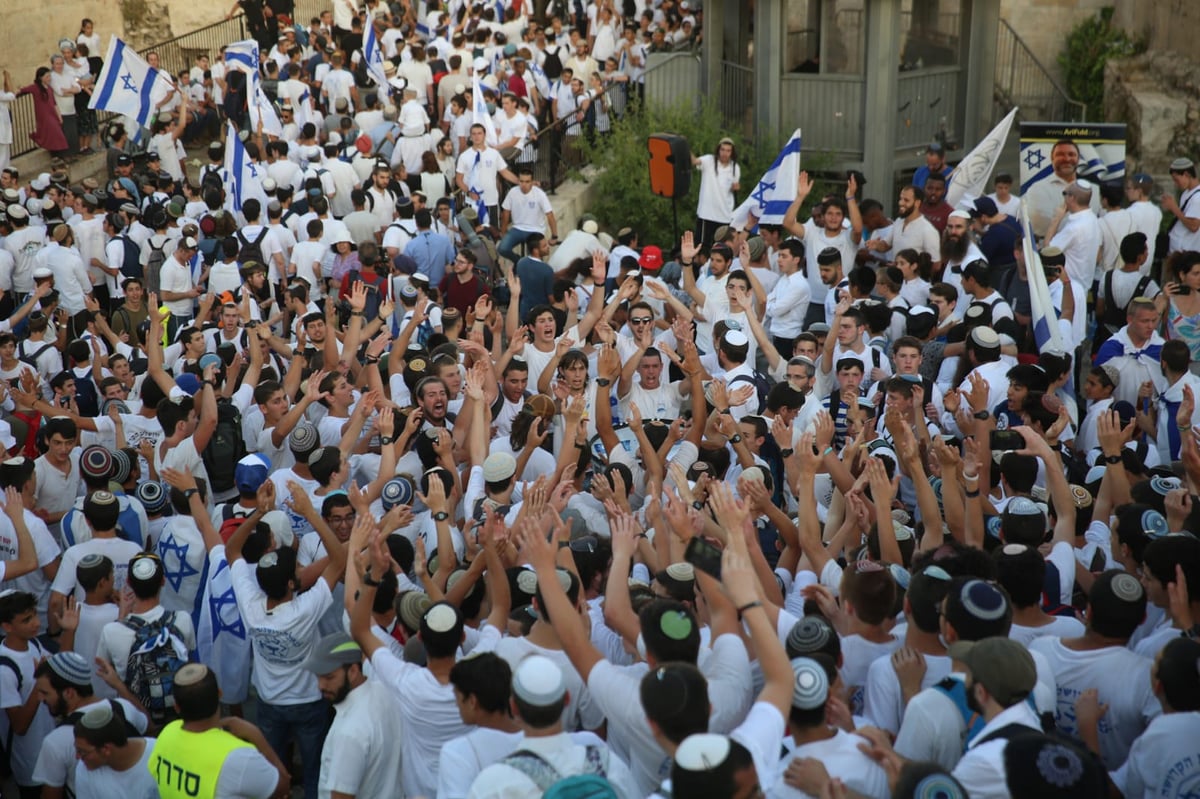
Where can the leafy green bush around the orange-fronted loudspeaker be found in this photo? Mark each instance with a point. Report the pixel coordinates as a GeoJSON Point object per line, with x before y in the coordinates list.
{"type": "Point", "coordinates": [623, 196]}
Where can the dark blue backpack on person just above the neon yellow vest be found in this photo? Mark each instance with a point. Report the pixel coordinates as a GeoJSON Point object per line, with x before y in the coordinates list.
{"type": "Point", "coordinates": [154, 660]}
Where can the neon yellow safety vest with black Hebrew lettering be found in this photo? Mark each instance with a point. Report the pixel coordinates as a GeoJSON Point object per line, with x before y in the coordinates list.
{"type": "Point", "coordinates": [187, 765]}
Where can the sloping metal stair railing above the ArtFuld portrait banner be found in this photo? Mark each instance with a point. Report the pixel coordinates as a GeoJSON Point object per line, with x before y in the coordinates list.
{"type": "Point", "coordinates": [1024, 82]}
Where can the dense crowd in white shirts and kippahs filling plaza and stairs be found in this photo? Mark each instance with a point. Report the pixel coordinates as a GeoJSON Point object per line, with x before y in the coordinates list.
{"type": "Point", "coordinates": [361, 477]}
